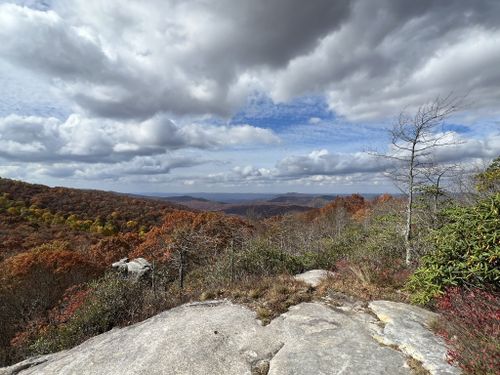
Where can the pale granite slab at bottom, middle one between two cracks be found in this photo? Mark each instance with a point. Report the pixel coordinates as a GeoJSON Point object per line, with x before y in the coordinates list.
{"type": "Point", "coordinates": [320, 340]}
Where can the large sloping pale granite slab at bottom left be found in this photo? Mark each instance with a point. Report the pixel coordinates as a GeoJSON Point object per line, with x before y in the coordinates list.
{"type": "Point", "coordinates": [204, 338]}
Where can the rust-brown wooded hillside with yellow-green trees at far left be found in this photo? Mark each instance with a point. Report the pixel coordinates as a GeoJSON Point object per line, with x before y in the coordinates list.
{"type": "Point", "coordinates": [31, 215]}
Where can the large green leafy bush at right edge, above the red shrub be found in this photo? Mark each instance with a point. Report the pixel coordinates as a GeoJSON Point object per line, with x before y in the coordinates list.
{"type": "Point", "coordinates": [467, 251]}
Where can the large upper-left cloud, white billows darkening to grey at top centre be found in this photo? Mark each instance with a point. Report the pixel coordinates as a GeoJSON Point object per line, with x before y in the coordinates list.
{"type": "Point", "coordinates": [141, 63]}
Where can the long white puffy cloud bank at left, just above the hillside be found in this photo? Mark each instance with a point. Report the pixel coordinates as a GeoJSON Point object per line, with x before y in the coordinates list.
{"type": "Point", "coordinates": [33, 139]}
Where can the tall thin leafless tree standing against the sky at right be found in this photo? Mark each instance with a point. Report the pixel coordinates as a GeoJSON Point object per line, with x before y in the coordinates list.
{"type": "Point", "coordinates": [413, 138]}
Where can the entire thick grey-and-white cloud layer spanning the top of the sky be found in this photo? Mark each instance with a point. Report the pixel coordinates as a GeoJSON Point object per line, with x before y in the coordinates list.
{"type": "Point", "coordinates": [370, 58]}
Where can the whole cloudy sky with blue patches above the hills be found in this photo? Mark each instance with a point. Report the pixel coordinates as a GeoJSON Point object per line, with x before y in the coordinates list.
{"type": "Point", "coordinates": [235, 95]}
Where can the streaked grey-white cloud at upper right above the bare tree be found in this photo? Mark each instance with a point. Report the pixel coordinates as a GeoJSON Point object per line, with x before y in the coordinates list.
{"type": "Point", "coordinates": [391, 54]}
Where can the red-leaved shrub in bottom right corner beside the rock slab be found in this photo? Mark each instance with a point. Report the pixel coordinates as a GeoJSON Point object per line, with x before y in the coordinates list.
{"type": "Point", "coordinates": [470, 325]}
